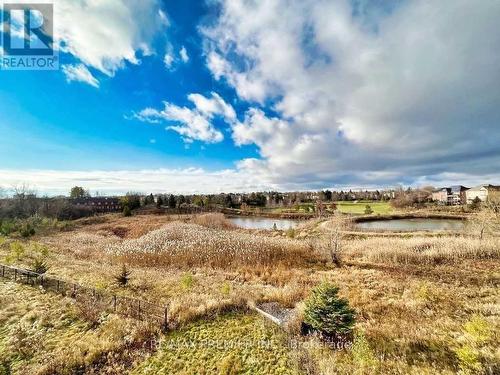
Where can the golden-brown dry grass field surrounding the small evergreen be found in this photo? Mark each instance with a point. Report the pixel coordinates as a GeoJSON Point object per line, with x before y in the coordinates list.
{"type": "Point", "coordinates": [426, 305]}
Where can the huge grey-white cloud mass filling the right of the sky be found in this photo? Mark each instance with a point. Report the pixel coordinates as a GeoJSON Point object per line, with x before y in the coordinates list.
{"type": "Point", "coordinates": [411, 90]}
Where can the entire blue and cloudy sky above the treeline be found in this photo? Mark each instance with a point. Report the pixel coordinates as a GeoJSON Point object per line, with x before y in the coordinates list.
{"type": "Point", "coordinates": [234, 95]}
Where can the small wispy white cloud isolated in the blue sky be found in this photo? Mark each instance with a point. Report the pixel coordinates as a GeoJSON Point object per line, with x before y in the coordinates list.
{"type": "Point", "coordinates": [194, 123]}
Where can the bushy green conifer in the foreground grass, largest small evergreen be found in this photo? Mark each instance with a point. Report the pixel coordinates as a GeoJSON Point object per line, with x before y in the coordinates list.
{"type": "Point", "coordinates": [326, 312]}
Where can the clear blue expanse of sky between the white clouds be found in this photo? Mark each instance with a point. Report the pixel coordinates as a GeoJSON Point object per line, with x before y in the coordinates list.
{"type": "Point", "coordinates": [54, 124]}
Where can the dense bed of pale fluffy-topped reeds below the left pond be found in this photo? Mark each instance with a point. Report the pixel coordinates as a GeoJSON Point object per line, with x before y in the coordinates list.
{"type": "Point", "coordinates": [187, 245]}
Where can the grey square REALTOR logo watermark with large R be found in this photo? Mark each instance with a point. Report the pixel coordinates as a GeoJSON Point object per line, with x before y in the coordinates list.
{"type": "Point", "coordinates": [28, 37]}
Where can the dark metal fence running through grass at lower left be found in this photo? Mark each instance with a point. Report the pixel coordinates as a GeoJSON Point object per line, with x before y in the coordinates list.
{"type": "Point", "coordinates": [130, 307]}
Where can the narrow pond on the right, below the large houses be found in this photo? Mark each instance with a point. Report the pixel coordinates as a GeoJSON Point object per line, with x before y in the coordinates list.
{"type": "Point", "coordinates": [411, 225]}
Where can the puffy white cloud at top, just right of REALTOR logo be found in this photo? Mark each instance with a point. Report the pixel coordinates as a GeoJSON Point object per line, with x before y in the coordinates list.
{"type": "Point", "coordinates": [106, 34]}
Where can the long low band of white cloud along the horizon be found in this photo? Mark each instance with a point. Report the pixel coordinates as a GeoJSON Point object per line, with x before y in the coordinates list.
{"type": "Point", "coordinates": [187, 180]}
